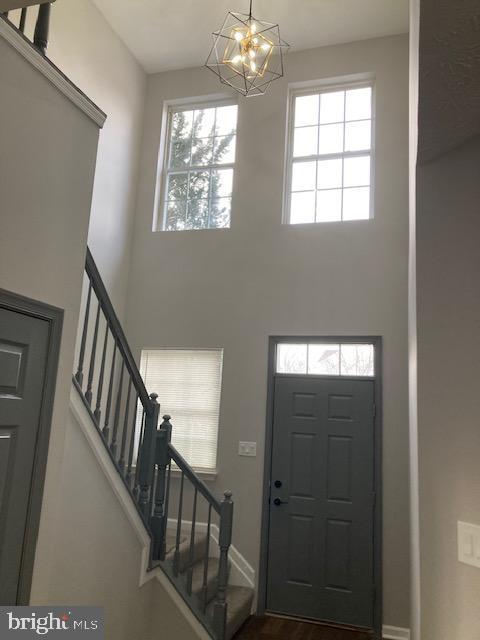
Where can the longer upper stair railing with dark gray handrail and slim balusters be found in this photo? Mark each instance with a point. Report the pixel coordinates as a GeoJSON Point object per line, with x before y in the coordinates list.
{"type": "Point", "coordinates": [113, 391]}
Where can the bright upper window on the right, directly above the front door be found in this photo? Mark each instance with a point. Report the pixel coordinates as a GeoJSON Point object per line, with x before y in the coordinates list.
{"type": "Point", "coordinates": [330, 156]}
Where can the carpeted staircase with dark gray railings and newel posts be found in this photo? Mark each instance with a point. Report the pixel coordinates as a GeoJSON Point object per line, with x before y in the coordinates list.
{"type": "Point", "coordinates": [190, 528]}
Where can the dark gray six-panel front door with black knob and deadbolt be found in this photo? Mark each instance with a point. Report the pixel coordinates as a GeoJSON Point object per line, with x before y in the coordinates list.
{"type": "Point", "coordinates": [320, 557]}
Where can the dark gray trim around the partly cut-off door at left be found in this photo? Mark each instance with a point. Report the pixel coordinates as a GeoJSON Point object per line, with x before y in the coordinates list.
{"type": "Point", "coordinates": [54, 316]}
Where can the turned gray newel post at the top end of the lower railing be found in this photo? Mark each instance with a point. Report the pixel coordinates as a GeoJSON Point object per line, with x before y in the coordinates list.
{"type": "Point", "coordinates": [162, 459]}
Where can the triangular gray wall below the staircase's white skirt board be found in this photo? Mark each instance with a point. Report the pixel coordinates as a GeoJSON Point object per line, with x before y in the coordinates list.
{"type": "Point", "coordinates": [97, 556]}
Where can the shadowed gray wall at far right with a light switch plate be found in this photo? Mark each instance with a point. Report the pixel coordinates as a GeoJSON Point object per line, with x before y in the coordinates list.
{"type": "Point", "coordinates": [448, 303]}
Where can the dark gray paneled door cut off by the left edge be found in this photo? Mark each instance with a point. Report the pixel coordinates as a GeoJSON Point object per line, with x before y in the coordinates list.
{"type": "Point", "coordinates": [24, 342]}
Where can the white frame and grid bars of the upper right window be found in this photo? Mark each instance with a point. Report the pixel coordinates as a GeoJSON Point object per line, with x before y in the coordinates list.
{"type": "Point", "coordinates": [318, 89]}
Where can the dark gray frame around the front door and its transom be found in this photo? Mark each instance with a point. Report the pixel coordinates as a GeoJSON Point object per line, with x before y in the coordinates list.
{"type": "Point", "coordinates": [378, 429]}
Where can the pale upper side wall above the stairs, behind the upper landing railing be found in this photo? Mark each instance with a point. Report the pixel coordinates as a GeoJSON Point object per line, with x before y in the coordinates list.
{"type": "Point", "coordinates": [84, 46]}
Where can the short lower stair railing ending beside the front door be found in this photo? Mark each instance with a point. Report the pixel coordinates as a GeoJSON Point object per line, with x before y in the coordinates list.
{"type": "Point", "coordinates": [169, 461]}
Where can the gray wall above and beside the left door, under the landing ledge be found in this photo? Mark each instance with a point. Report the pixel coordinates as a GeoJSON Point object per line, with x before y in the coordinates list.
{"type": "Point", "coordinates": [47, 162]}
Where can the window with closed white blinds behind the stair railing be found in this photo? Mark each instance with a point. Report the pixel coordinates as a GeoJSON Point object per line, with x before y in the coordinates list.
{"type": "Point", "coordinates": [188, 383]}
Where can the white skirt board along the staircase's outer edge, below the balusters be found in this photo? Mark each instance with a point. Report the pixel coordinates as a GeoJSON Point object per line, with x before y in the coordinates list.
{"type": "Point", "coordinates": [82, 418]}
